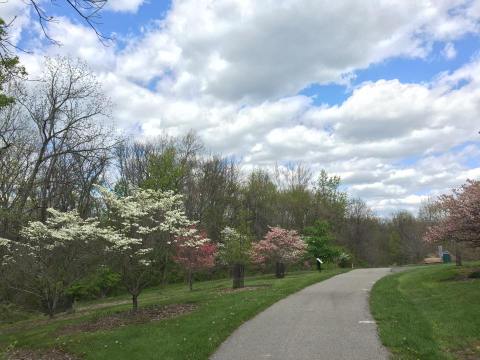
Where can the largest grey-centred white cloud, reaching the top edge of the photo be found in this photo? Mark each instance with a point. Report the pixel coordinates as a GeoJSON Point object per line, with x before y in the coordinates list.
{"type": "Point", "coordinates": [248, 50]}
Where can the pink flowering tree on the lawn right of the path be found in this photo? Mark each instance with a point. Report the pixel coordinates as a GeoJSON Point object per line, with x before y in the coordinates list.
{"type": "Point", "coordinates": [460, 220]}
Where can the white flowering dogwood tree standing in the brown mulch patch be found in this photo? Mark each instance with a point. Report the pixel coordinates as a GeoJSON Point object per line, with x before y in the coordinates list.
{"type": "Point", "coordinates": [142, 228]}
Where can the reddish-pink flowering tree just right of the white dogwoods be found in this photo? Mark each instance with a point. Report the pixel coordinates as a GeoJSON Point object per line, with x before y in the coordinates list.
{"type": "Point", "coordinates": [194, 252]}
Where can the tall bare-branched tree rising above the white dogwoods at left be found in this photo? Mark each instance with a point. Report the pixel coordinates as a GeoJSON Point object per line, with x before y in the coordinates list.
{"type": "Point", "coordinates": [66, 110]}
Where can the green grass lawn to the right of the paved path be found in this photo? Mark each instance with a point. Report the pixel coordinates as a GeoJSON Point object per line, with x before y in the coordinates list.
{"type": "Point", "coordinates": [429, 312]}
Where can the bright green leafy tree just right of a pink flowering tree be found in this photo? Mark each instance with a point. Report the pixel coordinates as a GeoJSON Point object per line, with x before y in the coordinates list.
{"type": "Point", "coordinates": [319, 241]}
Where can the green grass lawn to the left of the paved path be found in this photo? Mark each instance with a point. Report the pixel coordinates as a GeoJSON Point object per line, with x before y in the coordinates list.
{"type": "Point", "coordinates": [192, 336]}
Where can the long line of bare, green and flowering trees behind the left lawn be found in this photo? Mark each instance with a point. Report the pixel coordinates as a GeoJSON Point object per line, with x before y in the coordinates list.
{"type": "Point", "coordinates": [81, 201]}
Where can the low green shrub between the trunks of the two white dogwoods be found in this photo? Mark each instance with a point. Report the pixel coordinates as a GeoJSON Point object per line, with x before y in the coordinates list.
{"type": "Point", "coordinates": [101, 283]}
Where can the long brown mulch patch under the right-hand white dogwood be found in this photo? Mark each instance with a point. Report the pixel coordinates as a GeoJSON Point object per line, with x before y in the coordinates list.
{"type": "Point", "coordinates": [144, 315]}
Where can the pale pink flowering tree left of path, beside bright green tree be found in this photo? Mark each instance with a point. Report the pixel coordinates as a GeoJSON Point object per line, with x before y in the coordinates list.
{"type": "Point", "coordinates": [279, 247]}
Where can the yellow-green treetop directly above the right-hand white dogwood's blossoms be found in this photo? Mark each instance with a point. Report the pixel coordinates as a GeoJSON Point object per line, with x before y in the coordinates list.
{"type": "Point", "coordinates": [165, 172]}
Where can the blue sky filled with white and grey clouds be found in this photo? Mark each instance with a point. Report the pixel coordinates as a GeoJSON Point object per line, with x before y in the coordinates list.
{"type": "Point", "coordinates": [385, 94]}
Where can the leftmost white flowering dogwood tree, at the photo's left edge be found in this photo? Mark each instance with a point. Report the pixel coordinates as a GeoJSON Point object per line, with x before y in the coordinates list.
{"type": "Point", "coordinates": [51, 256]}
